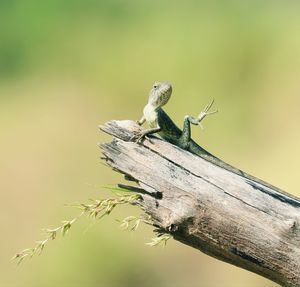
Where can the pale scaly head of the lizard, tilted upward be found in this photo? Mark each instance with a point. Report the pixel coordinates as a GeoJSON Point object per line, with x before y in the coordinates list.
{"type": "Point", "coordinates": [160, 94]}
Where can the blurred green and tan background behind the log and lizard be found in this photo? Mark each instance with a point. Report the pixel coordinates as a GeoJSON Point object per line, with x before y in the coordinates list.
{"type": "Point", "coordinates": [68, 65]}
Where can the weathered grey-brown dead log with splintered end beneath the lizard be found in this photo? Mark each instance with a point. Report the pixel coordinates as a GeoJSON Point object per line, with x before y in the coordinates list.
{"type": "Point", "coordinates": [224, 215]}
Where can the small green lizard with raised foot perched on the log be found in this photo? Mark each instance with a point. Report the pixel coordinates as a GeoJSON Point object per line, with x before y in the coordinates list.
{"type": "Point", "coordinates": [160, 123]}
